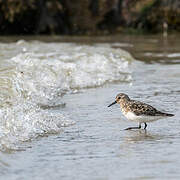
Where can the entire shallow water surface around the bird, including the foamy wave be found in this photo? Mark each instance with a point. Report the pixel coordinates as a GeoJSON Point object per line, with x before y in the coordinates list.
{"type": "Point", "coordinates": [50, 95]}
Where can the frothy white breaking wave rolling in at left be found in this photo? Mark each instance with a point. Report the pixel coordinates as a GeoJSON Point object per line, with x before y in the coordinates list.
{"type": "Point", "coordinates": [40, 75]}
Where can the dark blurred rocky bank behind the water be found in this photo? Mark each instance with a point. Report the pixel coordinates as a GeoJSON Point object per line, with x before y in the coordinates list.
{"type": "Point", "coordinates": [80, 17]}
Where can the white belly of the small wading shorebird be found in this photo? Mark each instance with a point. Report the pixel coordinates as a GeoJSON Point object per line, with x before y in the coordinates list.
{"type": "Point", "coordinates": [133, 117]}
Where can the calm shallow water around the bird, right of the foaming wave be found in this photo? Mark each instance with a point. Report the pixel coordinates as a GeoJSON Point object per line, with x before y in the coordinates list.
{"type": "Point", "coordinates": [96, 146]}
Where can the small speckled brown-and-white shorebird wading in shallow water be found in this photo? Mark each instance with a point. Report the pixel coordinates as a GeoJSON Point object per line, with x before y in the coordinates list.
{"type": "Point", "coordinates": [138, 111]}
